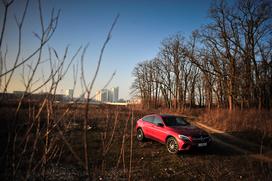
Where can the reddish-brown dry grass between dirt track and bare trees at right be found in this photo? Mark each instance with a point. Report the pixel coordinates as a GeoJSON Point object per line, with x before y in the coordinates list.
{"type": "Point", "coordinates": [252, 125]}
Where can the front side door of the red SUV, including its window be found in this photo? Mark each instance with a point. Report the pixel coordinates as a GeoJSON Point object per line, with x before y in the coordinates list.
{"type": "Point", "coordinates": [158, 132]}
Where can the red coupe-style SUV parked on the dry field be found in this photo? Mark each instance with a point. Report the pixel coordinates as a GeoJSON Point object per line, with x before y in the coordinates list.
{"type": "Point", "coordinates": [172, 130]}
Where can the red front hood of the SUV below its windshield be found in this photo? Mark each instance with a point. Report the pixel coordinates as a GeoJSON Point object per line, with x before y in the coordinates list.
{"type": "Point", "coordinates": [189, 130]}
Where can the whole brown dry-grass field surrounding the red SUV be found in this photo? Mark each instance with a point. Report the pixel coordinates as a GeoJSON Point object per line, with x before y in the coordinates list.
{"type": "Point", "coordinates": [115, 154]}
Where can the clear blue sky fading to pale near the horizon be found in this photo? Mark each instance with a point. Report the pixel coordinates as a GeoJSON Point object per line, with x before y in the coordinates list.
{"type": "Point", "coordinates": [142, 25]}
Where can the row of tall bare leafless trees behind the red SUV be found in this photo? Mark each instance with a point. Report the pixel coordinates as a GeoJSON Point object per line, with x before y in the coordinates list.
{"type": "Point", "coordinates": [225, 64]}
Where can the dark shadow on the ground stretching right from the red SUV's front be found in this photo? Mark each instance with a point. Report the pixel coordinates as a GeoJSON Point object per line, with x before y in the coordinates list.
{"type": "Point", "coordinates": [223, 145]}
